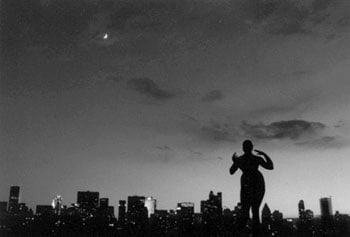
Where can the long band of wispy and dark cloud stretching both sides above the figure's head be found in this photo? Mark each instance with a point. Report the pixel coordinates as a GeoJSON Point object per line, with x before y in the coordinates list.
{"type": "Point", "coordinates": [299, 132]}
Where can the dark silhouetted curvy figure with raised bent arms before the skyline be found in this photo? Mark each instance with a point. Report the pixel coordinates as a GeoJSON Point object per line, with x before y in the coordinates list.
{"type": "Point", "coordinates": [252, 182]}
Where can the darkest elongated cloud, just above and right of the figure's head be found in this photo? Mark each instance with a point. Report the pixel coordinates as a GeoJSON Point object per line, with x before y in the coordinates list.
{"type": "Point", "coordinates": [289, 129]}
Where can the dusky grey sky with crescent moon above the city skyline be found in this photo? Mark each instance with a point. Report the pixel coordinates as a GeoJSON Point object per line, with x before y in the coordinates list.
{"type": "Point", "coordinates": [152, 97]}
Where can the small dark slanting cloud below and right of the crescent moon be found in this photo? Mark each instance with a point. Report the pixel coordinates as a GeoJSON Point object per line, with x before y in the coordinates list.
{"type": "Point", "coordinates": [149, 87]}
